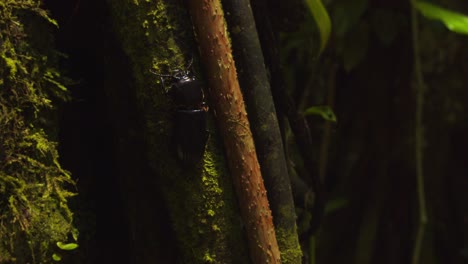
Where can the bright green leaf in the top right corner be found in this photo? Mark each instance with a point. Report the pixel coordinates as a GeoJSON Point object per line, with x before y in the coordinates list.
{"type": "Point", "coordinates": [454, 21]}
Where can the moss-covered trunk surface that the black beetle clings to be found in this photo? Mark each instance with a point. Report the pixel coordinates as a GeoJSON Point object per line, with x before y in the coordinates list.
{"type": "Point", "coordinates": [157, 36]}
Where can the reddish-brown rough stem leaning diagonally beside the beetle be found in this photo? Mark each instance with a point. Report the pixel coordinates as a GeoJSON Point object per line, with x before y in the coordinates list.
{"type": "Point", "coordinates": [228, 104]}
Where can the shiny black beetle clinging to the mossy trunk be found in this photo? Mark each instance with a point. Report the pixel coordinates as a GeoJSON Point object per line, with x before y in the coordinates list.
{"type": "Point", "coordinates": [190, 133]}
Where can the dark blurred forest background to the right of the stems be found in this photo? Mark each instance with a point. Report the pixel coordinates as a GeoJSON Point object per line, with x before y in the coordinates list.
{"type": "Point", "coordinates": [366, 76]}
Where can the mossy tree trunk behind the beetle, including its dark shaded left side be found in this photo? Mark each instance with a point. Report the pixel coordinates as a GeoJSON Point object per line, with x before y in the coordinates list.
{"type": "Point", "coordinates": [157, 36]}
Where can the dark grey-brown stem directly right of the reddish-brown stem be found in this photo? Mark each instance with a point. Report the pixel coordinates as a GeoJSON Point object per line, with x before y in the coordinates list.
{"type": "Point", "coordinates": [256, 88]}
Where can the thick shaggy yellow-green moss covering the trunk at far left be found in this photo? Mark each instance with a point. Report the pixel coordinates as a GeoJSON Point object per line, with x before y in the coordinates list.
{"type": "Point", "coordinates": [34, 189]}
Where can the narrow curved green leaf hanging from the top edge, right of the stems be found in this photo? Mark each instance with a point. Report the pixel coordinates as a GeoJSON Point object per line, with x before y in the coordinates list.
{"type": "Point", "coordinates": [322, 19]}
